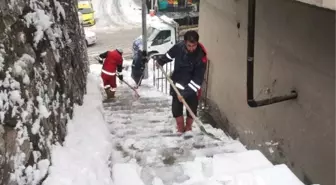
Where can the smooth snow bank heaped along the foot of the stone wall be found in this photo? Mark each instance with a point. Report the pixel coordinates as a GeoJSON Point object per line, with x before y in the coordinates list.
{"type": "Point", "coordinates": [84, 157]}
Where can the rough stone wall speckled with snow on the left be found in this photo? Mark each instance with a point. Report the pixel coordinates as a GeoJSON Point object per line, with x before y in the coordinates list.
{"type": "Point", "coordinates": [43, 69]}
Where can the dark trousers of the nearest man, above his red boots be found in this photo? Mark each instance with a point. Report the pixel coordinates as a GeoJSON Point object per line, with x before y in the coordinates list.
{"type": "Point", "coordinates": [177, 106]}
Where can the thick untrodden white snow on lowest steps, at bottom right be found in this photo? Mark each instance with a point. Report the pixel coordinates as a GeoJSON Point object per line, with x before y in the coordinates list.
{"type": "Point", "coordinates": [243, 168]}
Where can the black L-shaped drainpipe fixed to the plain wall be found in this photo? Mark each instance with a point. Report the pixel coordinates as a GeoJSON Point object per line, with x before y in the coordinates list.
{"type": "Point", "coordinates": [250, 64]}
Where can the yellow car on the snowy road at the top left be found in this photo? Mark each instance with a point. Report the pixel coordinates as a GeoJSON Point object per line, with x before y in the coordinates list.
{"type": "Point", "coordinates": [85, 8]}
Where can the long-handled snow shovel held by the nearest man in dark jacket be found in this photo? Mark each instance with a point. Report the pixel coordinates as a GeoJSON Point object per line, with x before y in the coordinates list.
{"type": "Point", "coordinates": [198, 122]}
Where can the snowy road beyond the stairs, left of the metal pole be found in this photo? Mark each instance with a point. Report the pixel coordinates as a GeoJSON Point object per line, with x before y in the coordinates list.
{"type": "Point", "coordinates": [117, 25]}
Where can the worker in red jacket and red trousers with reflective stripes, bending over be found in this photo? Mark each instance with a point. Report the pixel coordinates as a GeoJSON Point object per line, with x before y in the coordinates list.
{"type": "Point", "coordinates": [112, 66]}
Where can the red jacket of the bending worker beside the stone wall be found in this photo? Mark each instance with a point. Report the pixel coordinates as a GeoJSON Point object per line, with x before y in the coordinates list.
{"type": "Point", "coordinates": [113, 59]}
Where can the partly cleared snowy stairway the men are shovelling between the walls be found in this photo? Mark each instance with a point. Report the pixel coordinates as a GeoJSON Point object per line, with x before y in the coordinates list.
{"type": "Point", "coordinates": [148, 152]}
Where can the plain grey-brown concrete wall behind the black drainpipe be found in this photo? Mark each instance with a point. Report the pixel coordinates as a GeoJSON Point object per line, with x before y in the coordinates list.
{"type": "Point", "coordinates": [295, 49]}
